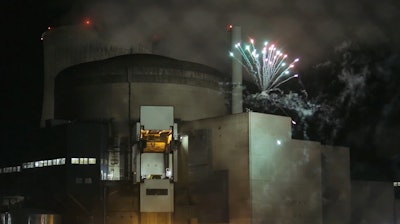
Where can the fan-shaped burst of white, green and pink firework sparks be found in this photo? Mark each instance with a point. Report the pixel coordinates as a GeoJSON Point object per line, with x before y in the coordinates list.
{"type": "Point", "coordinates": [268, 66]}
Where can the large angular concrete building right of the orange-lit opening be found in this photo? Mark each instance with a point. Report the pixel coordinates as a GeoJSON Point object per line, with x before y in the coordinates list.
{"type": "Point", "coordinates": [272, 178]}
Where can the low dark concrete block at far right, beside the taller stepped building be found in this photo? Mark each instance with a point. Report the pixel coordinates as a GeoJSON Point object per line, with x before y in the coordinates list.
{"type": "Point", "coordinates": [372, 202]}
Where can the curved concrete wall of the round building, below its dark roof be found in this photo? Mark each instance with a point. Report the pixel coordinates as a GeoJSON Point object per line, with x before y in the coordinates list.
{"type": "Point", "coordinates": [111, 101]}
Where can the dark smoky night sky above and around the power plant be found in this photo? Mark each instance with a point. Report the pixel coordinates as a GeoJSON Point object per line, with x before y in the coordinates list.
{"type": "Point", "coordinates": [196, 31]}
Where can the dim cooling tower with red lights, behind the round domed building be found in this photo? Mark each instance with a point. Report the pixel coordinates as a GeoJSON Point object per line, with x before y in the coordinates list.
{"type": "Point", "coordinates": [70, 45]}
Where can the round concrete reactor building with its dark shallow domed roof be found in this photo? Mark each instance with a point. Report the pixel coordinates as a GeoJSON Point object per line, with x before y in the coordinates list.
{"type": "Point", "coordinates": [115, 88]}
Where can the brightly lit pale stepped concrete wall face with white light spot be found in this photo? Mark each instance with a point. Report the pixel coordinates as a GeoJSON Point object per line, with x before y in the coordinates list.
{"type": "Point", "coordinates": [285, 174]}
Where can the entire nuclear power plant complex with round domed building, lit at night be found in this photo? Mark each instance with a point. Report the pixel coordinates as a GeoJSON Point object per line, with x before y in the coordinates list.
{"type": "Point", "coordinates": [132, 137]}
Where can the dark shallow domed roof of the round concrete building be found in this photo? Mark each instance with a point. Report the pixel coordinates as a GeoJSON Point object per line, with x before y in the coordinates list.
{"type": "Point", "coordinates": [140, 68]}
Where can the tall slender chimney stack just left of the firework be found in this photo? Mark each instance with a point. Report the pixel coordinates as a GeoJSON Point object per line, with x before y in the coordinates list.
{"type": "Point", "coordinates": [237, 76]}
